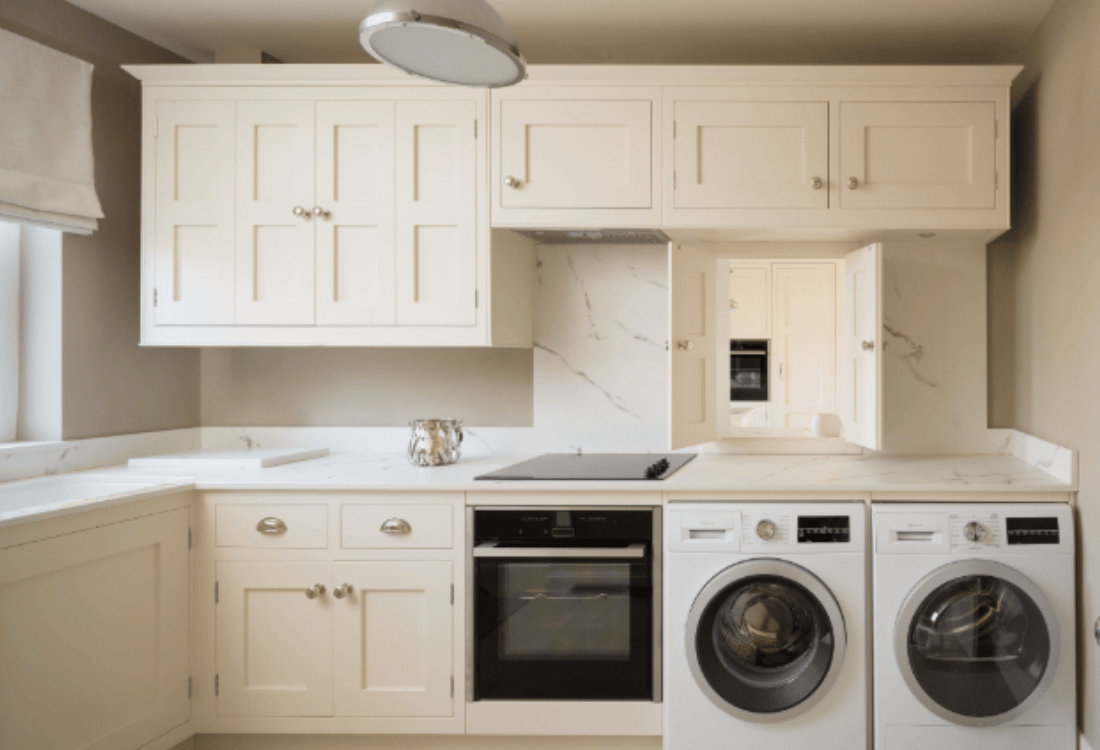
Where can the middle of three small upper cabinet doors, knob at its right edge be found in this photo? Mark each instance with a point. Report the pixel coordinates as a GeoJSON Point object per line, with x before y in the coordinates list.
{"type": "Point", "coordinates": [751, 155]}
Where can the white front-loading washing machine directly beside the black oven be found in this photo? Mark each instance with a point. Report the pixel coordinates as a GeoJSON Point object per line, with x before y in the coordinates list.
{"type": "Point", "coordinates": [765, 621]}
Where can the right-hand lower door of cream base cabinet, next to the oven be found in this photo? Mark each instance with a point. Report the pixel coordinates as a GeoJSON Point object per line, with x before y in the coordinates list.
{"type": "Point", "coordinates": [394, 636]}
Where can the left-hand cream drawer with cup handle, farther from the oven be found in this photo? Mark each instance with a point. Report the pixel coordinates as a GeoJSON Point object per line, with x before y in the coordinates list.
{"type": "Point", "coordinates": [284, 526]}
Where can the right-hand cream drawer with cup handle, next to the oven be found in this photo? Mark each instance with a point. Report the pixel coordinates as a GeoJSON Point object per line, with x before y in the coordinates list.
{"type": "Point", "coordinates": [430, 527]}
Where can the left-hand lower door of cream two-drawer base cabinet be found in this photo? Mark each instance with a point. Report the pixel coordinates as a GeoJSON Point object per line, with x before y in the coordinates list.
{"type": "Point", "coordinates": [274, 644]}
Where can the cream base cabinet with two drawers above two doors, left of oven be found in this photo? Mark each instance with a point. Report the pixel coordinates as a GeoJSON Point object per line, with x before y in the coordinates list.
{"type": "Point", "coordinates": [345, 627]}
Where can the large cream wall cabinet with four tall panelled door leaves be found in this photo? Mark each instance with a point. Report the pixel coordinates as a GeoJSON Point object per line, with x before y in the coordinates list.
{"type": "Point", "coordinates": [331, 215]}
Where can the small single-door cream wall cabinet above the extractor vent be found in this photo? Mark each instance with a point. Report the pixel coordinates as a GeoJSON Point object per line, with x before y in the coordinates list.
{"type": "Point", "coordinates": [579, 158]}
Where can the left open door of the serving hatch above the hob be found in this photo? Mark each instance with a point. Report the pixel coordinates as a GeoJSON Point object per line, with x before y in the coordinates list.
{"type": "Point", "coordinates": [694, 310]}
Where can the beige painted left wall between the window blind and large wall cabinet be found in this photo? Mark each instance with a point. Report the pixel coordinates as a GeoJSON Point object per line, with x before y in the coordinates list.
{"type": "Point", "coordinates": [111, 387]}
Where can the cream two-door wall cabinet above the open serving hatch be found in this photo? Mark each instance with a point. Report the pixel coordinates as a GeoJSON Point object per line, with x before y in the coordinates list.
{"type": "Point", "coordinates": [838, 153]}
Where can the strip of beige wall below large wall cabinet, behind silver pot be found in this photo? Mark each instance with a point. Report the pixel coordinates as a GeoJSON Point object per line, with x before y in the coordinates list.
{"type": "Point", "coordinates": [366, 388]}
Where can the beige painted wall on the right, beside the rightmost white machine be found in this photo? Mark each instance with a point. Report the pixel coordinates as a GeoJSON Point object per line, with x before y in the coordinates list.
{"type": "Point", "coordinates": [1046, 282]}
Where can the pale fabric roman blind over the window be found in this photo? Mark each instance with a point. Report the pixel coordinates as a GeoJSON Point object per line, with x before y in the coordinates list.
{"type": "Point", "coordinates": [47, 166]}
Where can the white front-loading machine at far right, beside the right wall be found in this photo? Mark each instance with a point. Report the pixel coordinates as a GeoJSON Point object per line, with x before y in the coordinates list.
{"type": "Point", "coordinates": [975, 642]}
